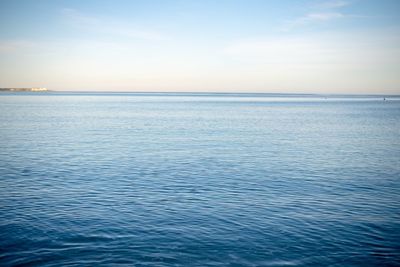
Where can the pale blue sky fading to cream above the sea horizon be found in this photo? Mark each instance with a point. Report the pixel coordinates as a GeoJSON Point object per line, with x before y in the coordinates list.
{"type": "Point", "coordinates": [303, 46]}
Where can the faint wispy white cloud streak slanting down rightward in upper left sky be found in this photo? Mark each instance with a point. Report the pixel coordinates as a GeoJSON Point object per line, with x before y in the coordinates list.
{"type": "Point", "coordinates": [109, 26]}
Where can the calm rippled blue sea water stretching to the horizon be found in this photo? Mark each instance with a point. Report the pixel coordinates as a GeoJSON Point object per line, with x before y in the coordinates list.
{"type": "Point", "coordinates": [199, 180]}
